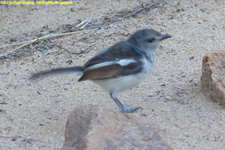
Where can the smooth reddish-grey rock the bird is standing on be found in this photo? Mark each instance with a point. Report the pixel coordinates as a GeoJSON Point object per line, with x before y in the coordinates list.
{"type": "Point", "coordinates": [96, 128]}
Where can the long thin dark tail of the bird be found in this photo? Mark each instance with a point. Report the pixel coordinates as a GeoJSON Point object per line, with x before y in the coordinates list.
{"type": "Point", "coordinates": [56, 71]}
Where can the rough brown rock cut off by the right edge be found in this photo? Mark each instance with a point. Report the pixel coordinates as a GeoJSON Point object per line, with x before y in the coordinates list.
{"type": "Point", "coordinates": [213, 76]}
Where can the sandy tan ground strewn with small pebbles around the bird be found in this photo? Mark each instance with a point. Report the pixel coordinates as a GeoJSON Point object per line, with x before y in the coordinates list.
{"type": "Point", "coordinates": [33, 114]}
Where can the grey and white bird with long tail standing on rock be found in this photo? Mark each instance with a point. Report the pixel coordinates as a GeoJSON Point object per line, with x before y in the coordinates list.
{"type": "Point", "coordinates": [120, 66]}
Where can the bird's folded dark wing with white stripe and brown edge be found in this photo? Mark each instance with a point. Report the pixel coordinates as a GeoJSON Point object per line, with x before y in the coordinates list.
{"type": "Point", "coordinates": [119, 60]}
